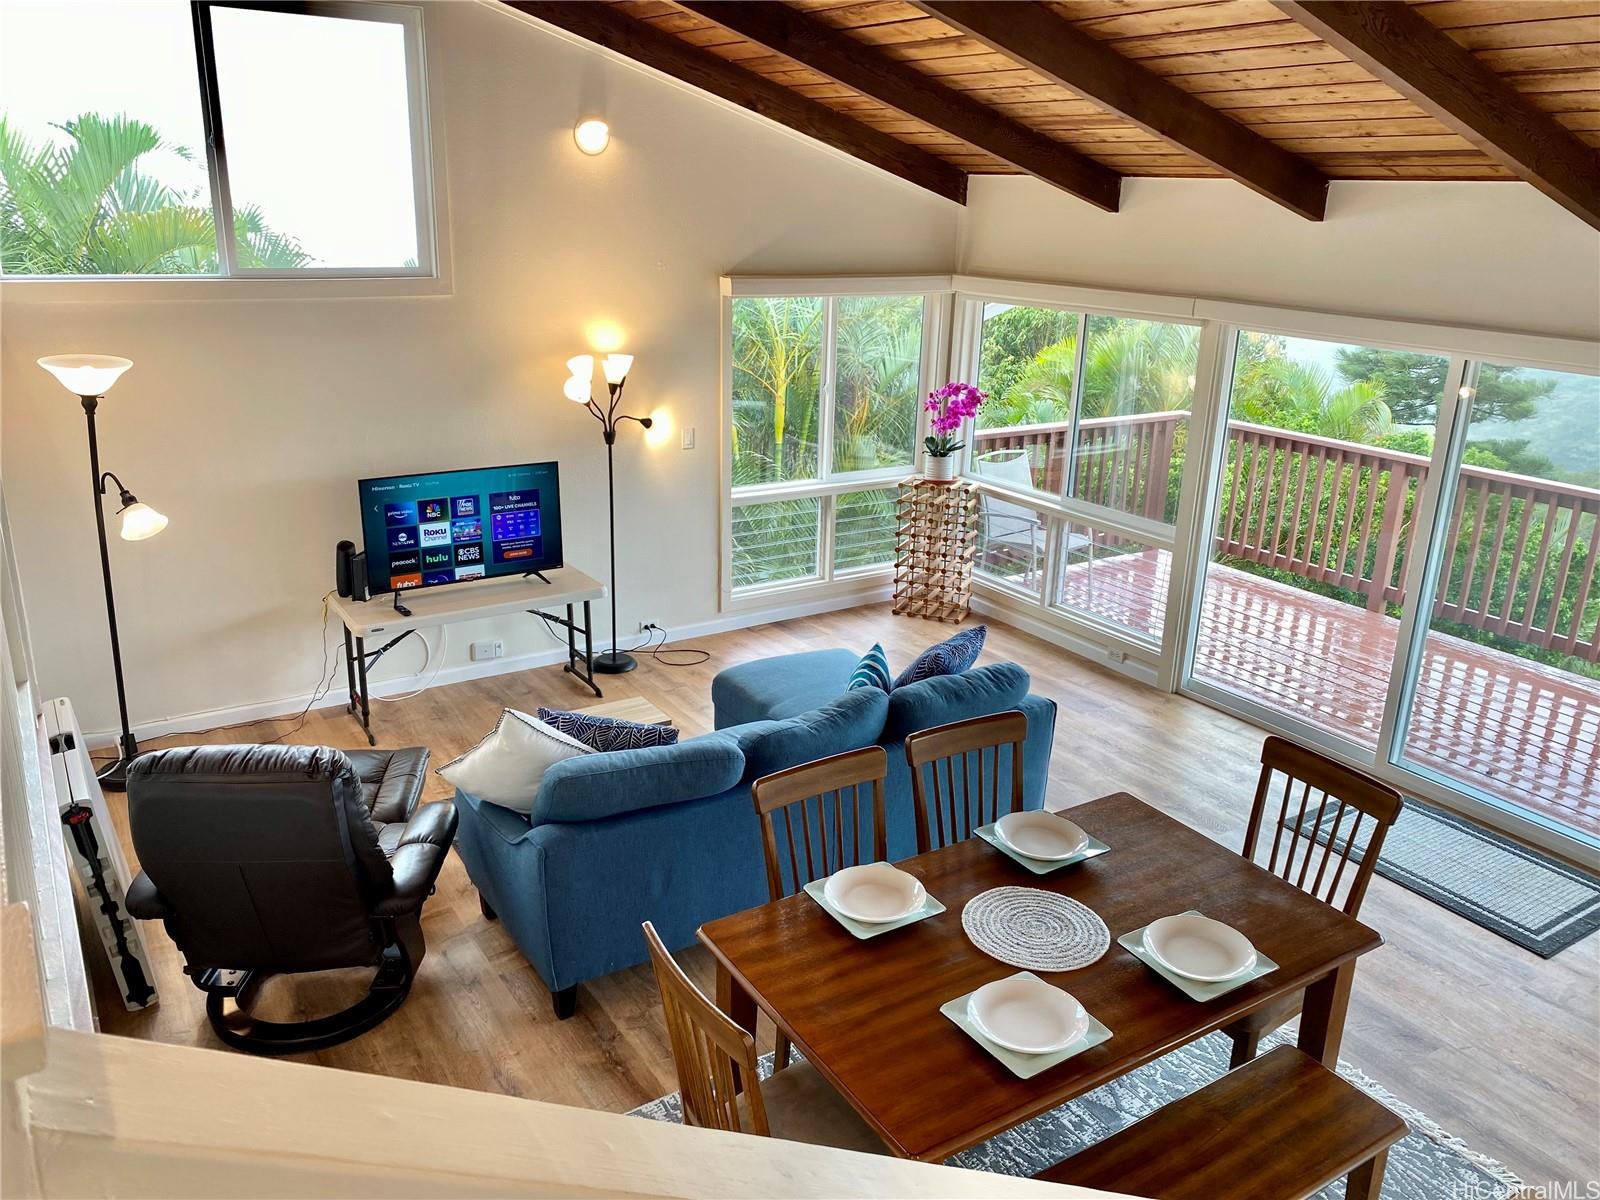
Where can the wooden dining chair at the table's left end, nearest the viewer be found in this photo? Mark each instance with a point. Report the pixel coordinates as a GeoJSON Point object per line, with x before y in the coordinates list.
{"type": "Point", "coordinates": [714, 1057]}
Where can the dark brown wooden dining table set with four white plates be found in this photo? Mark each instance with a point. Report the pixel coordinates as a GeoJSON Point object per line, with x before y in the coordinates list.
{"type": "Point", "coordinates": [866, 1012]}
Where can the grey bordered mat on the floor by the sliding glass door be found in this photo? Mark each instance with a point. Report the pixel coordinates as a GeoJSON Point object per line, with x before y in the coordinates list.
{"type": "Point", "coordinates": [1526, 897]}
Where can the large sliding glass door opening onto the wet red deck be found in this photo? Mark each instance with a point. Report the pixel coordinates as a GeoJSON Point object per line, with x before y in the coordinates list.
{"type": "Point", "coordinates": [1442, 633]}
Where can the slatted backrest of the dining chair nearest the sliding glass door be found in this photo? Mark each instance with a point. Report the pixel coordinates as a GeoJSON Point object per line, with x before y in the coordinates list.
{"type": "Point", "coordinates": [1342, 790]}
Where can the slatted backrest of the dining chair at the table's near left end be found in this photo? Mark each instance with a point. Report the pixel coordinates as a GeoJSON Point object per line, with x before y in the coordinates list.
{"type": "Point", "coordinates": [710, 1050]}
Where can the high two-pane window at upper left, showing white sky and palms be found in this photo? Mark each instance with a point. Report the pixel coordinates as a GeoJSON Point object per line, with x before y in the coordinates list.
{"type": "Point", "coordinates": [214, 140]}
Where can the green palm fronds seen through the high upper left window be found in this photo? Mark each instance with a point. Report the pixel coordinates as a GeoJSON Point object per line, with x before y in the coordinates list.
{"type": "Point", "coordinates": [89, 209]}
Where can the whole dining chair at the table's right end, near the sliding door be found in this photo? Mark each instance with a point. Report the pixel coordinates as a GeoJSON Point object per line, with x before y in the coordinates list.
{"type": "Point", "coordinates": [1313, 847]}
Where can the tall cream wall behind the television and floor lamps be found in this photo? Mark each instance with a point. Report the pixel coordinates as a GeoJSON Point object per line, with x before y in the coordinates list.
{"type": "Point", "coordinates": [254, 409]}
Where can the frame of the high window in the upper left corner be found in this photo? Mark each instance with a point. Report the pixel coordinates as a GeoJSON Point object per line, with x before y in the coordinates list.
{"type": "Point", "coordinates": [428, 278]}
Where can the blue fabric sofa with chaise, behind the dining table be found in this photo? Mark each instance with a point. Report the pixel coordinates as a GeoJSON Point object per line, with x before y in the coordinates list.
{"type": "Point", "coordinates": [670, 834]}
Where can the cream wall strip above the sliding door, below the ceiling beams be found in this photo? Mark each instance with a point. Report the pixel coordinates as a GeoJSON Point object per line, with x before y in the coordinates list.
{"type": "Point", "coordinates": [1492, 255]}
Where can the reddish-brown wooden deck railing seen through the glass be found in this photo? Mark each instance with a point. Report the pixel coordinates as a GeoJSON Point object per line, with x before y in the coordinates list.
{"type": "Point", "coordinates": [1522, 553]}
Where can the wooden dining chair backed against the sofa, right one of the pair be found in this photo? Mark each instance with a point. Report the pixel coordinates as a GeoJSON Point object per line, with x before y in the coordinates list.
{"type": "Point", "coordinates": [956, 777]}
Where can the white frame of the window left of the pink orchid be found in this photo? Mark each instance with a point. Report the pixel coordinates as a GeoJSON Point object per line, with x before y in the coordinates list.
{"type": "Point", "coordinates": [828, 486]}
